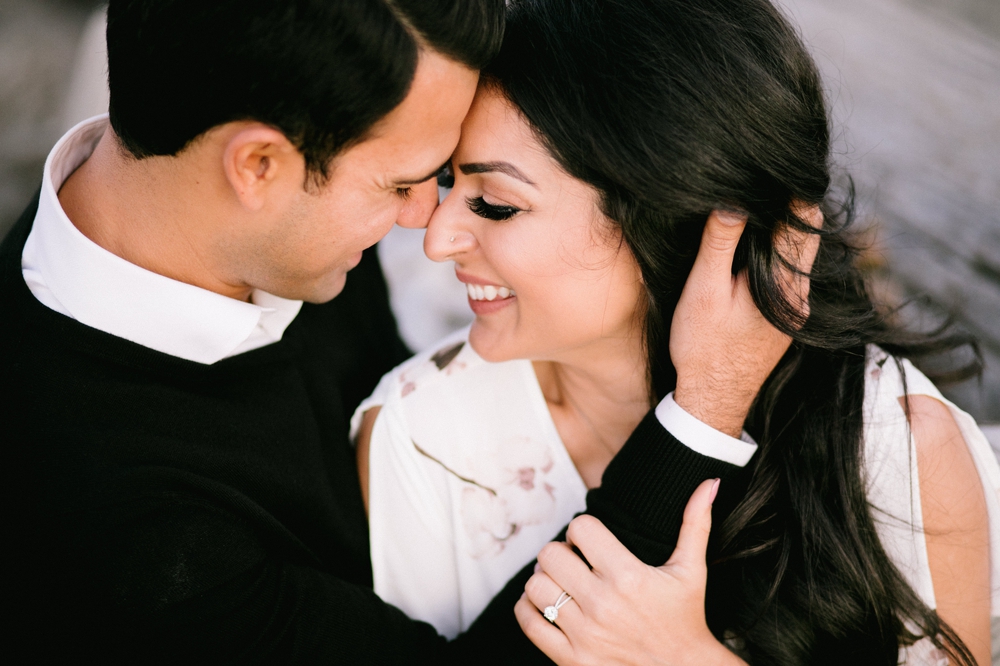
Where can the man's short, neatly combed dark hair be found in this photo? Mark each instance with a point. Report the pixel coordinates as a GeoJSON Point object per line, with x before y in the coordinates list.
{"type": "Point", "coordinates": [321, 71]}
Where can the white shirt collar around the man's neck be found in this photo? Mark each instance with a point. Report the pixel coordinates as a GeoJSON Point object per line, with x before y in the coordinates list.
{"type": "Point", "coordinates": [74, 276]}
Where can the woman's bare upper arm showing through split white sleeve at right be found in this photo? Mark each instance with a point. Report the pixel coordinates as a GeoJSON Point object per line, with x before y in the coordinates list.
{"type": "Point", "coordinates": [955, 523]}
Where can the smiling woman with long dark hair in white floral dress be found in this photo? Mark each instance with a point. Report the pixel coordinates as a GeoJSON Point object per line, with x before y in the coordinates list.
{"type": "Point", "coordinates": [599, 142]}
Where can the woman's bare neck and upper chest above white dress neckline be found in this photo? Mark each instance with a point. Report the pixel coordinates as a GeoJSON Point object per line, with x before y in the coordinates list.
{"type": "Point", "coordinates": [596, 397]}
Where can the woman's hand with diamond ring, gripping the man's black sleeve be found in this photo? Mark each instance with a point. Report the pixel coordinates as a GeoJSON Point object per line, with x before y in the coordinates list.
{"type": "Point", "coordinates": [623, 611]}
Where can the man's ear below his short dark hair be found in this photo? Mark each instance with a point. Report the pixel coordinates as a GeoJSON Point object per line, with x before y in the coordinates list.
{"type": "Point", "coordinates": [260, 163]}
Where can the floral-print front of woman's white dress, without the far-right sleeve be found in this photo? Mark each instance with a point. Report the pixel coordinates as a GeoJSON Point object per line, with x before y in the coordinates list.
{"type": "Point", "coordinates": [444, 542]}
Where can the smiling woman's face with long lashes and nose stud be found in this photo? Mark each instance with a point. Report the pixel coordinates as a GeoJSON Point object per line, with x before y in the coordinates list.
{"type": "Point", "coordinates": [548, 275]}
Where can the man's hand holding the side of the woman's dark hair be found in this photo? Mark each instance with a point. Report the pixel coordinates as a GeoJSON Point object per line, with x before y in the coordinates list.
{"type": "Point", "coordinates": [720, 343]}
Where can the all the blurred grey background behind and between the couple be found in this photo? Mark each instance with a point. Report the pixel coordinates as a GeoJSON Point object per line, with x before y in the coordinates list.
{"type": "Point", "coordinates": [915, 88]}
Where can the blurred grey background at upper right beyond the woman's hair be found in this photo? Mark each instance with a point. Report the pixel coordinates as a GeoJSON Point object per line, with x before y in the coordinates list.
{"type": "Point", "coordinates": [915, 88]}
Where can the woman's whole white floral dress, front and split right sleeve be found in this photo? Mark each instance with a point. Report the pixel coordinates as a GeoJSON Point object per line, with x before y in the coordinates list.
{"type": "Point", "coordinates": [442, 545]}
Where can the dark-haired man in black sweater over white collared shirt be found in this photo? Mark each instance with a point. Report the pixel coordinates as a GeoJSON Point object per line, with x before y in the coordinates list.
{"type": "Point", "coordinates": [181, 351]}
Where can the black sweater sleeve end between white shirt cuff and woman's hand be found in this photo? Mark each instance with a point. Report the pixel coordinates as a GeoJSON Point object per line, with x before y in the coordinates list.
{"type": "Point", "coordinates": [646, 487]}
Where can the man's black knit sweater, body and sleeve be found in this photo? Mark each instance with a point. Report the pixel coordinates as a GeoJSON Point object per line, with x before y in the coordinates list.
{"type": "Point", "coordinates": [164, 511]}
